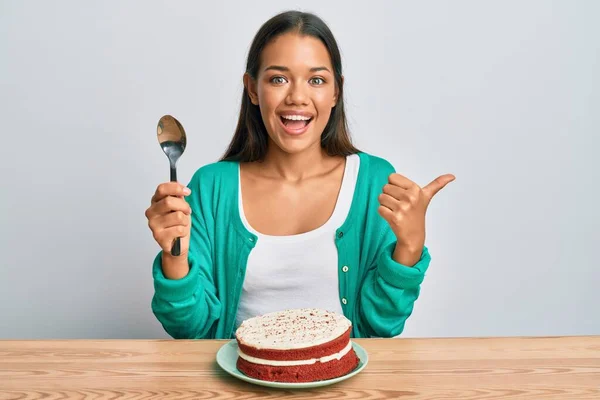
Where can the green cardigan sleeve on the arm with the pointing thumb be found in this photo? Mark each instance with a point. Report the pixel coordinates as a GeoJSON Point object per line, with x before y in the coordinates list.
{"type": "Point", "coordinates": [389, 289]}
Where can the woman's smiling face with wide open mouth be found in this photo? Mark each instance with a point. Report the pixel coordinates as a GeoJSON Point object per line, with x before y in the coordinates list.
{"type": "Point", "coordinates": [295, 90]}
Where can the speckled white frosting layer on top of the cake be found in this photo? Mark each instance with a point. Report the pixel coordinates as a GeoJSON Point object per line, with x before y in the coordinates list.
{"type": "Point", "coordinates": [292, 329]}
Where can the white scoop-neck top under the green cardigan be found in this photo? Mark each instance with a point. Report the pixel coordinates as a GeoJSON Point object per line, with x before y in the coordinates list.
{"type": "Point", "coordinates": [298, 270]}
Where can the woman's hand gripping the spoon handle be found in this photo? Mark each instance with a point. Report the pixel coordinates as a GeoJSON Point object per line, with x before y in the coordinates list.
{"type": "Point", "coordinates": [169, 217]}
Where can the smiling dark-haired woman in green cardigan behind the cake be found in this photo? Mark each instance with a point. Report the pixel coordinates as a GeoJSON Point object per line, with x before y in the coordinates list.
{"type": "Point", "coordinates": [293, 215]}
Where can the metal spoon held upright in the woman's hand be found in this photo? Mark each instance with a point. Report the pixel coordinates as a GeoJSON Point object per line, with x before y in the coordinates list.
{"type": "Point", "coordinates": [172, 139]}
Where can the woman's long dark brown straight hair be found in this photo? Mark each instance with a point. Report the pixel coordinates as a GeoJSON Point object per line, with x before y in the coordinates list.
{"type": "Point", "coordinates": [250, 140]}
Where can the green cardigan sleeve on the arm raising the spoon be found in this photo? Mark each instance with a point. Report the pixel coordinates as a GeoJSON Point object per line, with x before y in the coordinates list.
{"type": "Point", "coordinates": [187, 308]}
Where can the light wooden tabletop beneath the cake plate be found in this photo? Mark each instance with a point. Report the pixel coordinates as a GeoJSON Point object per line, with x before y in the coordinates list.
{"type": "Point", "coordinates": [475, 368]}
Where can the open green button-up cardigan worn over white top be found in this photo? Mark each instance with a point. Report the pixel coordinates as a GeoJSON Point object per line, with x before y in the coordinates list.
{"type": "Point", "coordinates": [376, 293]}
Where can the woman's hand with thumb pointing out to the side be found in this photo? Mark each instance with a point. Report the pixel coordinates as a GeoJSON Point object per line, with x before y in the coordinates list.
{"type": "Point", "coordinates": [403, 205]}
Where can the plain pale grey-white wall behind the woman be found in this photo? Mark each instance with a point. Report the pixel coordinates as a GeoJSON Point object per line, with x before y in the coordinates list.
{"type": "Point", "coordinates": [505, 95]}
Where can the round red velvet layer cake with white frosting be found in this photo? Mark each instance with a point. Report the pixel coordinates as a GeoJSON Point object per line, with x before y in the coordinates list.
{"type": "Point", "coordinates": [299, 345]}
